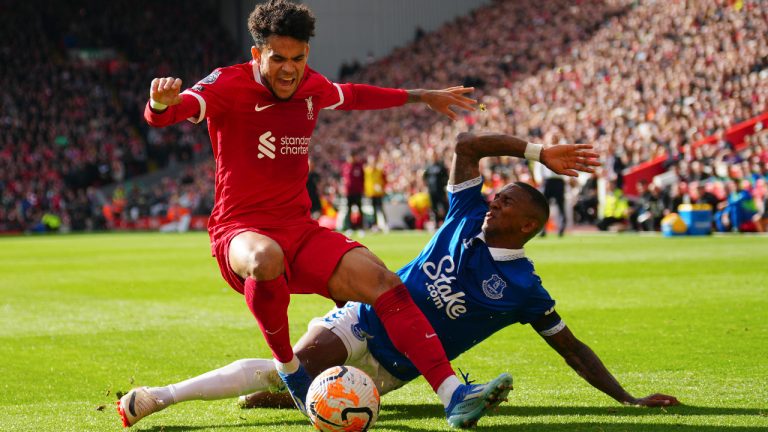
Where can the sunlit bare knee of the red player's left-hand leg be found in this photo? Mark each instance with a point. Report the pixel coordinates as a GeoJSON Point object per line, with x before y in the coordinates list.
{"type": "Point", "coordinates": [259, 258]}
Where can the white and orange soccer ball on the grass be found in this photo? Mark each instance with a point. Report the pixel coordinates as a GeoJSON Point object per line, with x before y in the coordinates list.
{"type": "Point", "coordinates": [343, 398]}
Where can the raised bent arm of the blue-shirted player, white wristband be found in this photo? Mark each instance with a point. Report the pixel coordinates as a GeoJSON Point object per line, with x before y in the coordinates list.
{"type": "Point", "coordinates": [566, 159]}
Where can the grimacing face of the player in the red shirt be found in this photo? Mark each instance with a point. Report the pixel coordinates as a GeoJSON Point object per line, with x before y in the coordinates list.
{"type": "Point", "coordinates": [282, 61]}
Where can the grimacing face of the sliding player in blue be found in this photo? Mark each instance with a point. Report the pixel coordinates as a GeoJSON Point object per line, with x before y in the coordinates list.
{"type": "Point", "coordinates": [508, 214]}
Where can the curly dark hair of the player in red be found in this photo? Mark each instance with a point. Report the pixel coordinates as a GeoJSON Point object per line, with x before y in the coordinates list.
{"type": "Point", "coordinates": [282, 18]}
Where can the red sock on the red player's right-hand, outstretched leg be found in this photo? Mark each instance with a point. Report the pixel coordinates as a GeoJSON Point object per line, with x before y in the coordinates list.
{"type": "Point", "coordinates": [408, 329]}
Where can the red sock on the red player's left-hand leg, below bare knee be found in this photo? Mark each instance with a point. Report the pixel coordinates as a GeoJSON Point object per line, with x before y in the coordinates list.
{"type": "Point", "coordinates": [268, 302]}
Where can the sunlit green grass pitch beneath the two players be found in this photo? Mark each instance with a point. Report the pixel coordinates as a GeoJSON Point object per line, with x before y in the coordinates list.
{"type": "Point", "coordinates": [85, 316]}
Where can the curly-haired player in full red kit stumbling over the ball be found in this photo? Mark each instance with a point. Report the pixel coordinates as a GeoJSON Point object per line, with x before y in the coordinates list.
{"type": "Point", "coordinates": [260, 119]}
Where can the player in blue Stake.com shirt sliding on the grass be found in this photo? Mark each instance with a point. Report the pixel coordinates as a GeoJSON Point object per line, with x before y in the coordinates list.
{"type": "Point", "coordinates": [470, 281]}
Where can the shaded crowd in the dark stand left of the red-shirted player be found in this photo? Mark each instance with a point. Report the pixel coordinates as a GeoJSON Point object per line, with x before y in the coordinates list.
{"type": "Point", "coordinates": [75, 80]}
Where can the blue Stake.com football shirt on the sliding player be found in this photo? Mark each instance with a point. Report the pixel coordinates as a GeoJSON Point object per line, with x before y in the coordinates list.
{"type": "Point", "coordinates": [466, 290]}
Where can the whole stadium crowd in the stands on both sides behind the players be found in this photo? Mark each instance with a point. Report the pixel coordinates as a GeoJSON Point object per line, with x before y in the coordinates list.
{"type": "Point", "coordinates": [639, 79]}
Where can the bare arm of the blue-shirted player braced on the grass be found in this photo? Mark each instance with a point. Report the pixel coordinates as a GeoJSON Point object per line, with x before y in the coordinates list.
{"type": "Point", "coordinates": [588, 365]}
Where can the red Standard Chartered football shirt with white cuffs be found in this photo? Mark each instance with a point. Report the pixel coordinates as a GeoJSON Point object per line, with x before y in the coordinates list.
{"type": "Point", "coordinates": [261, 144]}
